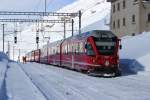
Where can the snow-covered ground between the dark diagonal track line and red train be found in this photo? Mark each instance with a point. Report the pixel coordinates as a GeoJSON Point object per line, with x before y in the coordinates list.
{"type": "Point", "coordinates": [62, 84]}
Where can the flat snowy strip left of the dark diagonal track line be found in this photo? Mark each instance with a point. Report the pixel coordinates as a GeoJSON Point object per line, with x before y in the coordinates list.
{"type": "Point", "coordinates": [19, 86]}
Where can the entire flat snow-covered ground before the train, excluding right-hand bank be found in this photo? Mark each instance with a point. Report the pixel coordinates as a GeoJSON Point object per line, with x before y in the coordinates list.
{"type": "Point", "coordinates": [45, 82]}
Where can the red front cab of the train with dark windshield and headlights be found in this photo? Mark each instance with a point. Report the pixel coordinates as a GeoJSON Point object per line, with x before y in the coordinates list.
{"type": "Point", "coordinates": [102, 50]}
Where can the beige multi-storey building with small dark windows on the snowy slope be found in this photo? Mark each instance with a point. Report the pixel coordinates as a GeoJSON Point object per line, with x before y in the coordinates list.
{"type": "Point", "coordinates": [129, 17]}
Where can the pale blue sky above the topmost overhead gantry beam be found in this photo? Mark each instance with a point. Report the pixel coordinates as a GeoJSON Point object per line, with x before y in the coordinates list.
{"type": "Point", "coordinates": [32, 5]}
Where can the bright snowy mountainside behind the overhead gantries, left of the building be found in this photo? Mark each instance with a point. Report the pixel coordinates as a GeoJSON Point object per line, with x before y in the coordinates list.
{"type": "Point", "coordinates": [95, 15]}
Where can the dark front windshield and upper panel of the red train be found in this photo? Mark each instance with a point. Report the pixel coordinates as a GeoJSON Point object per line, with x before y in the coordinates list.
{"type": "Point", "coordinates": [105, 42]}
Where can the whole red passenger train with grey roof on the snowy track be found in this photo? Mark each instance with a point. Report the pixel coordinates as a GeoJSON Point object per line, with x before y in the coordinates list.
{"type": "Point", "coordinates": [95, 52]}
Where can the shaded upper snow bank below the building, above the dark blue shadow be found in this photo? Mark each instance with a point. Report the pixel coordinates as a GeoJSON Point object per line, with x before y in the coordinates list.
{"type": "Point", "coordinates": [135, 47]}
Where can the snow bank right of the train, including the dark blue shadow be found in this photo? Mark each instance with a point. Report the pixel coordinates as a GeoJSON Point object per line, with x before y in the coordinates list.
{"type": "Point", "coordinates": [135, 54]}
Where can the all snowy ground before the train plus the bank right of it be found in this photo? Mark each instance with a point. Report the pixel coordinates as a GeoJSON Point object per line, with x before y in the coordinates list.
{"type": "Point", "coordinates": [45, 82]}
